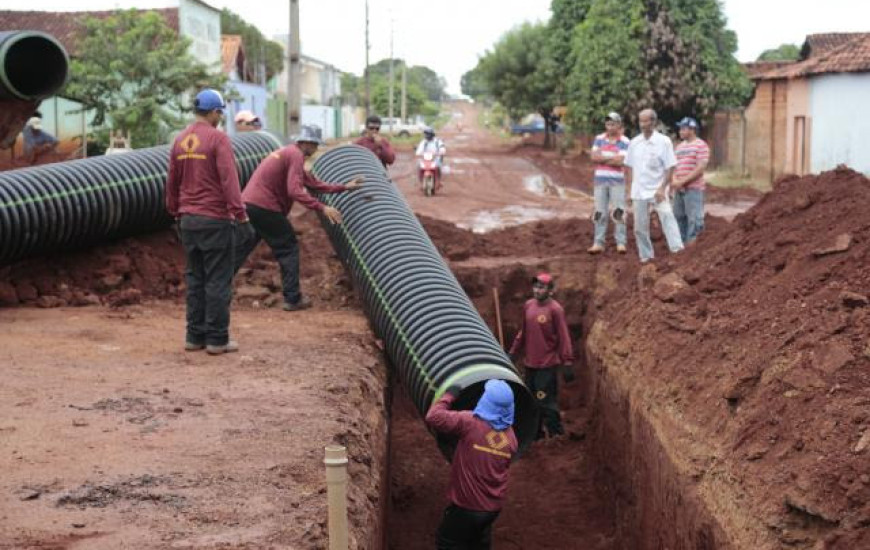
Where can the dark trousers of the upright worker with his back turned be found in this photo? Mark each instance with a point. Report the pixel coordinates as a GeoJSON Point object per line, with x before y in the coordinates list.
{"type": "Point", "coordinates": [208, 245]}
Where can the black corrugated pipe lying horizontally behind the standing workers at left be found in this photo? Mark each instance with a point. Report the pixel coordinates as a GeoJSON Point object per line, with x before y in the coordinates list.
{"type": "Point", "coordinates": [83, 202]}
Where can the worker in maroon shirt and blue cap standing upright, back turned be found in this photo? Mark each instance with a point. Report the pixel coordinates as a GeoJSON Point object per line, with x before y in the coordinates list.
{"type": "Point", "coordinates": [203, 195]}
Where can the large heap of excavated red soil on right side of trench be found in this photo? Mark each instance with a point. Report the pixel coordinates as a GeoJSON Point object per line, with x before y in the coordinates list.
{"type": "Point", "coordinates": [752, 356]}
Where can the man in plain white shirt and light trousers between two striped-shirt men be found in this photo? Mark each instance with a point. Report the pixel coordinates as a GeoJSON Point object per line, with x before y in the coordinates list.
{"type": "Point", "coordinates": [649, 165]}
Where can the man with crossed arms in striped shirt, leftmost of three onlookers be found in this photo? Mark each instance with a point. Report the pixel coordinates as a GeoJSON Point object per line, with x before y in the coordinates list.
{"type": "Point", "coordinates": [608, 151]}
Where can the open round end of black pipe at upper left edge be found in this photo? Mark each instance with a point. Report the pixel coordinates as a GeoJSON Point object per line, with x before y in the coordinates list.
{"type": "Point", "coordinates": [33, 65]}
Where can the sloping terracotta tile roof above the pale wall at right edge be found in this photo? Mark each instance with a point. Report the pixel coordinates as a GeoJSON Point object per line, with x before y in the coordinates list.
{"type": "Point", "coordinates": [852, 56]}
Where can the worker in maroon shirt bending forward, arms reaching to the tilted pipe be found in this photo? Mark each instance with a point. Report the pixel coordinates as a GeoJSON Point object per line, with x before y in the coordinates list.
{"type": "Point", "coordinates": [278, 182]}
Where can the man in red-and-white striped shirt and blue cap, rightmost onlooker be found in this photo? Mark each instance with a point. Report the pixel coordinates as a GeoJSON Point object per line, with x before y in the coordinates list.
{"type": "Point", "coordinates": [692, 157]}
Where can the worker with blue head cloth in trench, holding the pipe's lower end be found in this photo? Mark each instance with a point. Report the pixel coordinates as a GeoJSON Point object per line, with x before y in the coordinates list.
{"type": "Point", "coordinates": [485, 446]}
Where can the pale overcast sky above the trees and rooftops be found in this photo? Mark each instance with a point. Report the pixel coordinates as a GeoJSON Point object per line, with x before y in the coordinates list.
{"type": "Point", "coordinates": [449, 35]}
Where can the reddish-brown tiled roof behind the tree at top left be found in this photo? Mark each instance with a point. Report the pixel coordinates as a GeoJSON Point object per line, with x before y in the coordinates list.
{"type": "Point", "coordinates": [67, 27]}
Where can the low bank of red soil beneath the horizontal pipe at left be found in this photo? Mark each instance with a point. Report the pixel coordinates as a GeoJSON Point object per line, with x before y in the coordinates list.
{"type": "Point", "coordinates": [152, 267]}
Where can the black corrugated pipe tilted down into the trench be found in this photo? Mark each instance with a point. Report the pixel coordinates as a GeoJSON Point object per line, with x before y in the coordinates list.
{"type": "Point", "coordinates": [432, 333]}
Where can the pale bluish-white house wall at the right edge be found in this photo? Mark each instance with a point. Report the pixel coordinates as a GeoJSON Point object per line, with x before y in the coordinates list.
{"type": "Point", "coordinates": [839, 108]}
